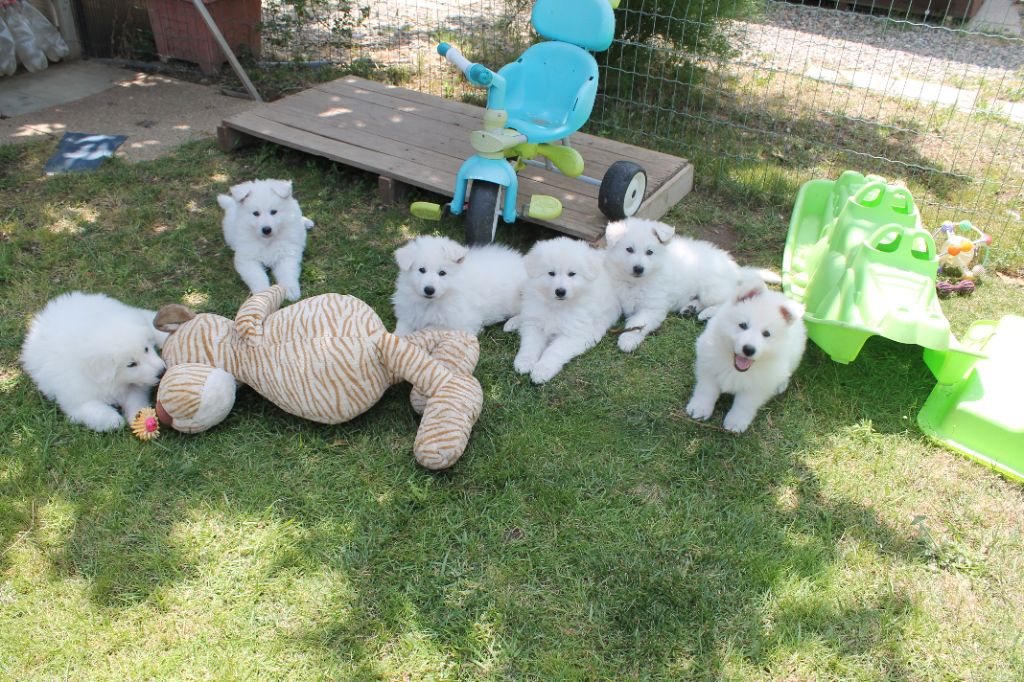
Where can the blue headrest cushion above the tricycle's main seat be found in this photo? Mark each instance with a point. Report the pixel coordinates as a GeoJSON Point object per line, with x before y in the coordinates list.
{"type": "Point", "coordinates": [589, 24]}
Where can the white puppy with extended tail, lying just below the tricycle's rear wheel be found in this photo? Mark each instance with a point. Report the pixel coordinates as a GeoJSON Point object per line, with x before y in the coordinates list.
{"type": "Point", "coordinates": [657, 272]}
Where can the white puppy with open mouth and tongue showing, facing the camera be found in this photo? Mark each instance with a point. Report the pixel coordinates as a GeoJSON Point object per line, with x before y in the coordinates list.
{"type": "Point", "coordinates": [751, 349]}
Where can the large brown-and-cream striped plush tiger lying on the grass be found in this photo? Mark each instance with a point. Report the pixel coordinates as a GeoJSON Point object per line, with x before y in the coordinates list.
{"type": "Point", "coordinates": [328, 359]}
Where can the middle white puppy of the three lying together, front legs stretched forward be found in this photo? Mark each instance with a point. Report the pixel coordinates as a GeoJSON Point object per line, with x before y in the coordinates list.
{"type": "Point", "coordinates": [568, 307]}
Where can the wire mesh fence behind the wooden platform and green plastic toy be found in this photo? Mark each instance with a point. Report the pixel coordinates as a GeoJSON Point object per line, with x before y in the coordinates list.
{"type": "Point", "coordinates": [762, 96]}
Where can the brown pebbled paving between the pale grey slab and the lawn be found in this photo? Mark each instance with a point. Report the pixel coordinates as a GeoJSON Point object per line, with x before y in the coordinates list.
{"type": "Point", "coordinates": [157, 113]}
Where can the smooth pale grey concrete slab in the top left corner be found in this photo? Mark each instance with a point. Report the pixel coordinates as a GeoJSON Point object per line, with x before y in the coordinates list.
{"type": "Point", "coordinates": [59, 84]}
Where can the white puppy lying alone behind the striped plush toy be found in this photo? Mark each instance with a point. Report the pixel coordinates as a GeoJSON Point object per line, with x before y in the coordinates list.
{"type": "Point", "coordinates": [265, 227]}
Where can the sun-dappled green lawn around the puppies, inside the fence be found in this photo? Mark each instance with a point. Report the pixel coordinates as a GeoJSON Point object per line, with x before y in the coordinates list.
{"type": "Point", "coordinates": [592, 531]}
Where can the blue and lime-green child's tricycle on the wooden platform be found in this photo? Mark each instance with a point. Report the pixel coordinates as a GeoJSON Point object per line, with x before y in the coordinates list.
{"type": "Point", "coordinates": [534, 106]}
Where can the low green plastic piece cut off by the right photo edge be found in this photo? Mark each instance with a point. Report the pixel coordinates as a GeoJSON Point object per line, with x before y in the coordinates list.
{"type": "Point", "coordinates": [980, 416]}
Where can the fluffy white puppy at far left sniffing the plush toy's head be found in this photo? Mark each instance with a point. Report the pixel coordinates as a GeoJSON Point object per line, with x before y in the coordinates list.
{"type": "Point", "coordinates": [94, 356]}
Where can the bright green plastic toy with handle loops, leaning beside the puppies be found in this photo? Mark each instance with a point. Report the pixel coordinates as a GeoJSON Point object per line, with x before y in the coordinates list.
{"type": "Point", "coordinates": [860, 261]}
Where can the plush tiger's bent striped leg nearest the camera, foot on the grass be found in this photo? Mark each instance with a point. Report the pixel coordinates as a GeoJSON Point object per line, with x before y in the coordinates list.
{"type": "Point", "coordinates": [454, 402]}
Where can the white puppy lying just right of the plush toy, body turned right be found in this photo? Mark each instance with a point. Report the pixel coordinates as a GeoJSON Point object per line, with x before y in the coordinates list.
{"type": "Point", "coordinates": [446, 286]}
